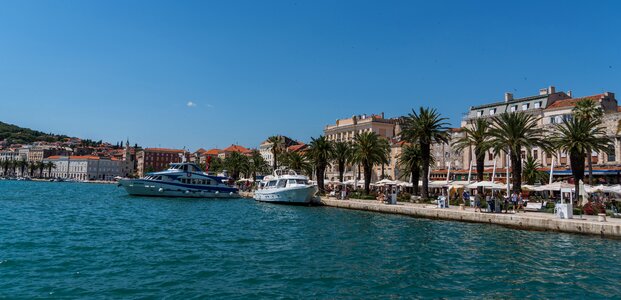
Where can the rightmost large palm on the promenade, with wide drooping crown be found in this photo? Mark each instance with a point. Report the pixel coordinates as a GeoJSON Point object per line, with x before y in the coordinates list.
{"type": "Point", "coordinates": [577, 137]}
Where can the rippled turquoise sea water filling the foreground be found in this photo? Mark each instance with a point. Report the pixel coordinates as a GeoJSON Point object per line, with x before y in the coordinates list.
{"type": "Point", "coordinates": [92, 241]}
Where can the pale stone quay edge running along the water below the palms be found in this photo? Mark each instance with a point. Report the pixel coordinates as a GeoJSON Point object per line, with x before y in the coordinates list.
{"type": "Point", "coordinates": [527, 221]}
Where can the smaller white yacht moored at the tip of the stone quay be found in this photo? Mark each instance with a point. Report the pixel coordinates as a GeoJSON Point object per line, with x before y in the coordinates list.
{"type": "Point", "coordinates": [286, 187]}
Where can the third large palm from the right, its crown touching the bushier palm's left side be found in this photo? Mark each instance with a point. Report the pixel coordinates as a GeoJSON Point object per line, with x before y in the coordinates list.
{"type": "Point", "coordinates": [476, 137]}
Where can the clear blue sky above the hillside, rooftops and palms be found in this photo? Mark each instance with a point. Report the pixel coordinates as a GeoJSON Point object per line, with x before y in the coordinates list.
{"type": "Point", "coordinates": [113, 70]}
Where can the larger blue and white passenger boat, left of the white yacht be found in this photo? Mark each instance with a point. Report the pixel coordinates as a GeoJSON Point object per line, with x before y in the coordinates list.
{"type": "Point", "coordinates": [180, 180]}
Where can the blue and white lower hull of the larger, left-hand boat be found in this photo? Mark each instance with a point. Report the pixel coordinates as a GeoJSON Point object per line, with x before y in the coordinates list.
{"type": "Point", "coordinates": [140, 187]}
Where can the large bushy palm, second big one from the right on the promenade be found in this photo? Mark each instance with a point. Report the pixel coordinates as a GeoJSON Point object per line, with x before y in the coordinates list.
{"type": "Point", "coordinates": [512, 132]}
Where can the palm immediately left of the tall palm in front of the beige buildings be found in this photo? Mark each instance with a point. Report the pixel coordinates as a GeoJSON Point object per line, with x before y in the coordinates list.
{"type": "Point", "coordinates": [369, 149]}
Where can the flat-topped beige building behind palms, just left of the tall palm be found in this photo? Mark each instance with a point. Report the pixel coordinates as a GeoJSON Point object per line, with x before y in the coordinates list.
{"type": "Point", "coordinates": [346, 129]}
